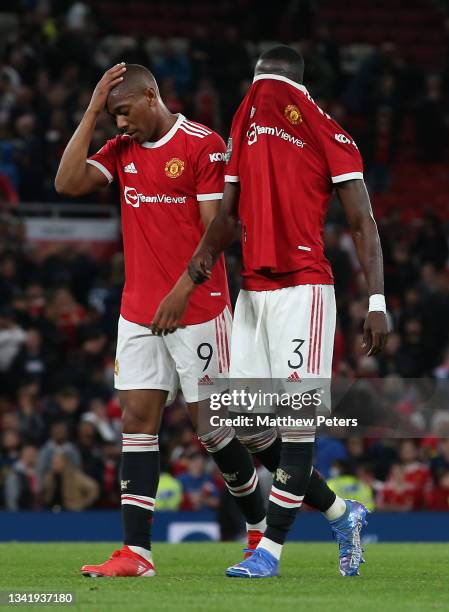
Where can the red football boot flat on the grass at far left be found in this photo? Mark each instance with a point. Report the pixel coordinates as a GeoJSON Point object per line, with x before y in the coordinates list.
{"type": "Point", "coordinates": [124, 562]}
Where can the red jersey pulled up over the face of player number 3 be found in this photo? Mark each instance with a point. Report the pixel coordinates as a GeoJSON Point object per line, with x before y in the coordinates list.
{"type": "Point", "coordinates": [286, 153]}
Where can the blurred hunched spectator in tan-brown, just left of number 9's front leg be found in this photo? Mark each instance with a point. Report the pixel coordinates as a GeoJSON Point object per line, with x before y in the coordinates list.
{"type": "Point", "coordinates": [66, 487]}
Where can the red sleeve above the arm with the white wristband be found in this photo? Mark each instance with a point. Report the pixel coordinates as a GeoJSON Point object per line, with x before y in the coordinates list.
{"type": "Point", "coordinates": [340, 151]}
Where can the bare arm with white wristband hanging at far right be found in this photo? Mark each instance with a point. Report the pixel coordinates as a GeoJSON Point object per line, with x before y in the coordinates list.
{"type": "Point", "coordinates": [355, 200]}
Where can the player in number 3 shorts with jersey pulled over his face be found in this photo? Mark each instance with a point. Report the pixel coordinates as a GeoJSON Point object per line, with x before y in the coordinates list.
{"type": "Point", "coordinates": [285, 157]}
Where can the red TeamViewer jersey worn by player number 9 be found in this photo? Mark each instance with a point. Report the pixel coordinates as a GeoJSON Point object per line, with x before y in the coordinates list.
{"type": "Point", "coordinates": [161, 184]}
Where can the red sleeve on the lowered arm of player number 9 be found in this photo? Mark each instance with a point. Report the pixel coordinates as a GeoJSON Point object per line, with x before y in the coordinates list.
{"type": "Point", "coordinates": [209, 168]}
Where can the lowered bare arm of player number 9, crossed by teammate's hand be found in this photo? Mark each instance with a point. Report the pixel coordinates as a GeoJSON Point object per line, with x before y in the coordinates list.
{"type": "Point", "coordinates": [172, 307]}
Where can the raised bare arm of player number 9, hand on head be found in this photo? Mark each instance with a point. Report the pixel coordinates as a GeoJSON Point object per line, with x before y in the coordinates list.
{"type": "Point", "coordinates": [75, 177]}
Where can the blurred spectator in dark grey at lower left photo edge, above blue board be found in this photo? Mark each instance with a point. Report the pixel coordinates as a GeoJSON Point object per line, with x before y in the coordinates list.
{"type": "Point", "coordinates": [21, 483]}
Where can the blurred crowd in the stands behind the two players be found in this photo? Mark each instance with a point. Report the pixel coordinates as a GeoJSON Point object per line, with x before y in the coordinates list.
{"type": "Point", "coordinates": [59, 414]}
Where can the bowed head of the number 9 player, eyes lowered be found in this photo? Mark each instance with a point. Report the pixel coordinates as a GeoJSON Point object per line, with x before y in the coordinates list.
{"type": "Point", "coordinates": [137, 106]}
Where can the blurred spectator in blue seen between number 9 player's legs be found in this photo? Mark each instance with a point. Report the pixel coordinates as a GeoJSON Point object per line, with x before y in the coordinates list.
{"type": "Point", "coordinates": [199, 489]}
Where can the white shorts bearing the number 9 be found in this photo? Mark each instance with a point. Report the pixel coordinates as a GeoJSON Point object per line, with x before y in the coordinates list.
{"type": "Point", "coordinates": [195, 358]}
